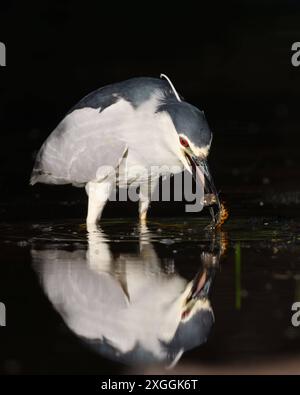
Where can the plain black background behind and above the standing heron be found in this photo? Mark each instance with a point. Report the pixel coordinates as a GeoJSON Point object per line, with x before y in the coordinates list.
{"type": "Point", "coordinates": [232, 59]}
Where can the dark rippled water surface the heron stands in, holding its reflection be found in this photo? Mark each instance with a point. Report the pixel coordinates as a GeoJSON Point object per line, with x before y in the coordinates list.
{"type": "Point", "coordinates": [49, 287]}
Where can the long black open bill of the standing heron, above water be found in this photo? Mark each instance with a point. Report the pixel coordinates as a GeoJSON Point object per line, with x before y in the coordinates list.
{"type": "Point", "coordinates": [210, 189]}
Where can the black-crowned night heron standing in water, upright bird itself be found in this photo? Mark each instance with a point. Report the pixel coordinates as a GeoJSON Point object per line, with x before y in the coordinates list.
{"type": "Point", "coordinates": [141, 122]}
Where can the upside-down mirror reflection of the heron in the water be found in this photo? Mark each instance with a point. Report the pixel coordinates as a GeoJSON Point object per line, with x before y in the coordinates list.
{"type": "Point", "coordinates": [127, 307]}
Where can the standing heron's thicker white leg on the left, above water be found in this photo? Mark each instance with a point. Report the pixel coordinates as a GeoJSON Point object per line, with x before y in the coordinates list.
{"type": "Point", "coordinates": [98, 194]}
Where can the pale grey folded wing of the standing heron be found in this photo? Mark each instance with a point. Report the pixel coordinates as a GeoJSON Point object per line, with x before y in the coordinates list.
{"type": "Point", "coordinates": [83, 146]}
